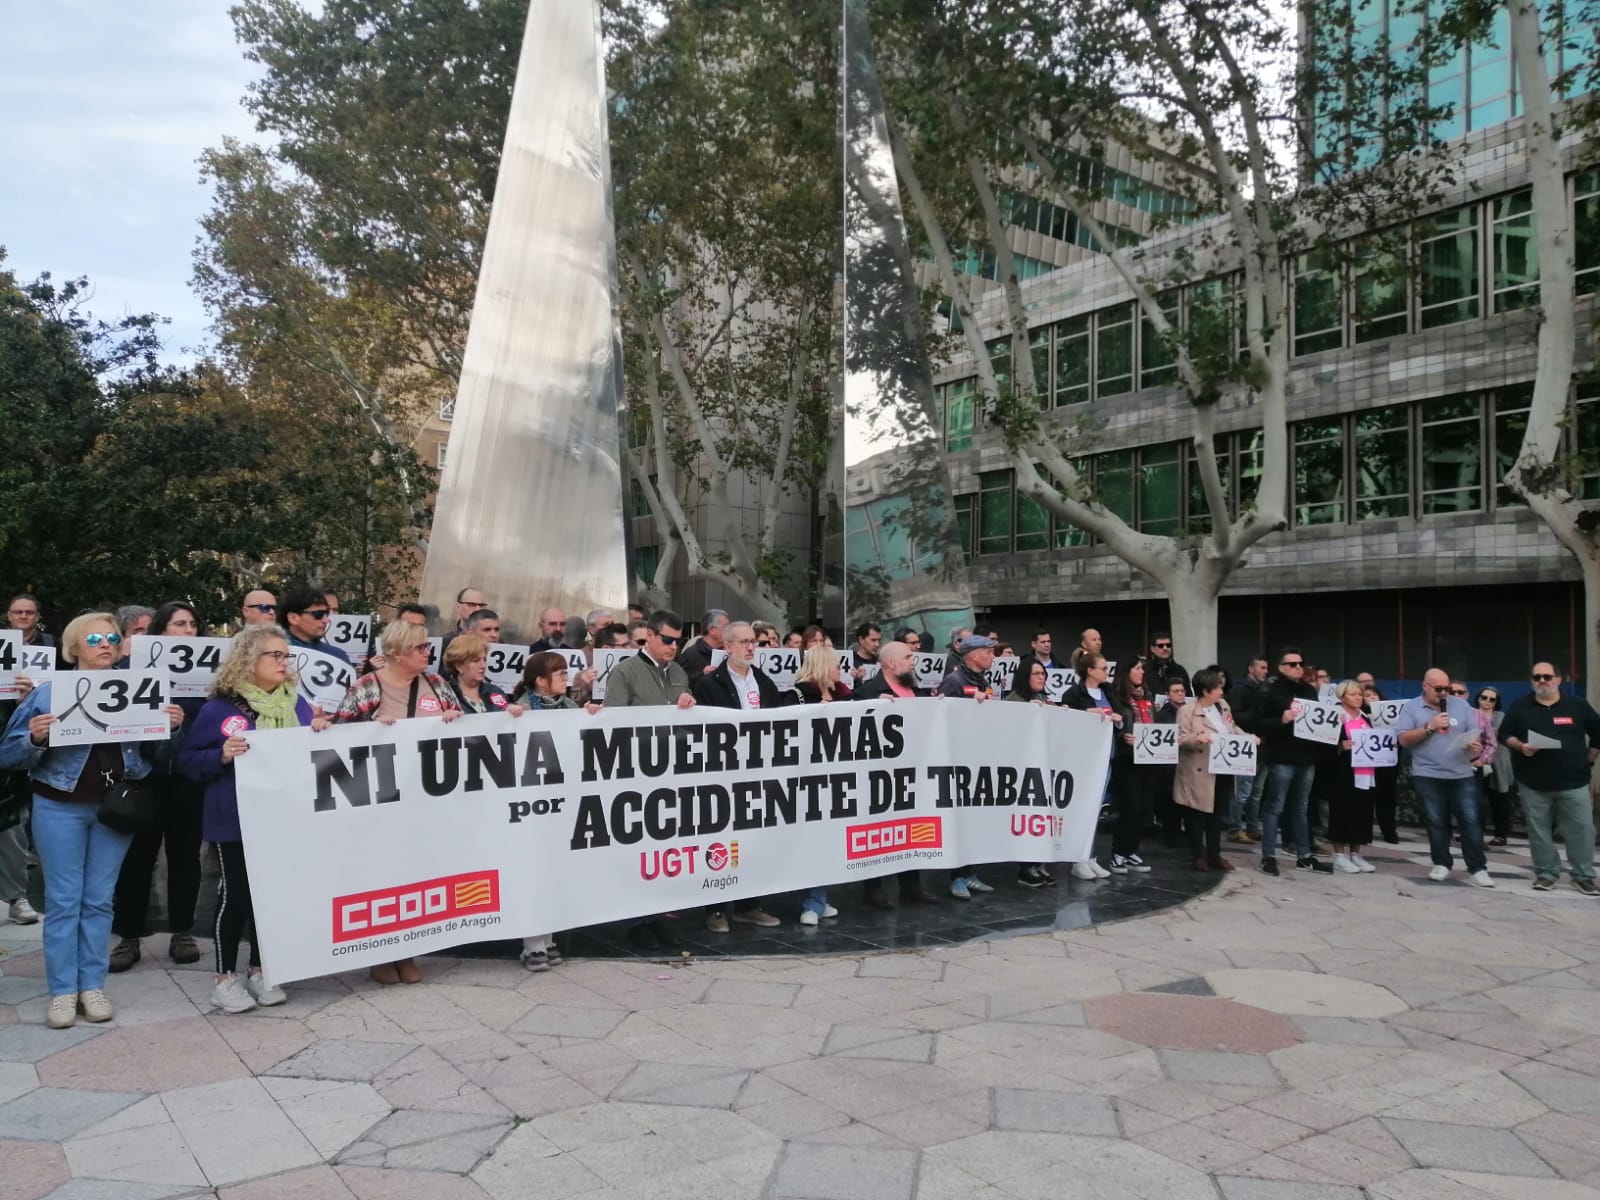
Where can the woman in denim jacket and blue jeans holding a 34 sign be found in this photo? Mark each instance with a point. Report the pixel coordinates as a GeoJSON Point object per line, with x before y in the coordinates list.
{"type": "Point", "coordinates": [79, 855]}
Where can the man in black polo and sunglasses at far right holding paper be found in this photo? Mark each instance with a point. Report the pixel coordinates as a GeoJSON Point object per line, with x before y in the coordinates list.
{"type": "Point", "coordinates": [1554, 780]}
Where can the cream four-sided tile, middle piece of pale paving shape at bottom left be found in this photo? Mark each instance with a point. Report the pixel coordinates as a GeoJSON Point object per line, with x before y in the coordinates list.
{"type": "Point", "coordinates": [238, 1132]}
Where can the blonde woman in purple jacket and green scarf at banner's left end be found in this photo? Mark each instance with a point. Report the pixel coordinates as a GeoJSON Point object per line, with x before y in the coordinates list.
{"type": "Point", "coordinates": [257, 690]}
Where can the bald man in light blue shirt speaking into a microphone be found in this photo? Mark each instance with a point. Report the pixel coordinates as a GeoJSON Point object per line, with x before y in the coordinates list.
{"type": "Point", "coordinates": [1439, 730]}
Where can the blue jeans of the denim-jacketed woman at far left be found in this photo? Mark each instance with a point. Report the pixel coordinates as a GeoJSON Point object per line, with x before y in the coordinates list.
{"type": "Point", "coordinates": [81, 860]}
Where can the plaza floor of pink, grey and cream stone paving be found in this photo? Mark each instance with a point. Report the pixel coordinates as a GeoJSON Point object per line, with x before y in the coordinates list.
{"type": "Point", "coordinates": [1316, 1038]}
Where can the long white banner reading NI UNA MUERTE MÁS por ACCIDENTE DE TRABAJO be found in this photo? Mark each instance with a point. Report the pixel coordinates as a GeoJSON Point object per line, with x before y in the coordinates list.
{"type": "Point", "coordinates": [372, 842]}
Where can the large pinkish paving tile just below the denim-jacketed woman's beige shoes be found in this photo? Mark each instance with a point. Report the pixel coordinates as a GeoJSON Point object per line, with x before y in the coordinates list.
{"type": "Point", "coordinates": [156, 1057]}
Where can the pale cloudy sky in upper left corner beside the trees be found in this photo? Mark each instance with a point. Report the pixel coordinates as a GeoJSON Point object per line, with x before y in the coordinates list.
{"type": "Point", "coordinates": [108, 105]}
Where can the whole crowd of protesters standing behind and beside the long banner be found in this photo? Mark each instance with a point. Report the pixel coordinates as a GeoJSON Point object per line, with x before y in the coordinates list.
{"type": "Point", "coordinates": [1463, 756]}
